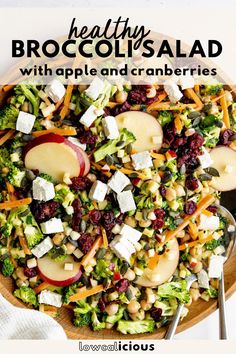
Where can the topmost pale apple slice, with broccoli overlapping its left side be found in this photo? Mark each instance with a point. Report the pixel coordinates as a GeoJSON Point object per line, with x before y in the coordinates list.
{"type": "Point", "coordinates": [145, 127]}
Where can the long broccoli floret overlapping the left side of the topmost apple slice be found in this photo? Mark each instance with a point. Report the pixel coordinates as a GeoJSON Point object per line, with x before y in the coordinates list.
{"type": "Point", "coordinates": [113, 145]}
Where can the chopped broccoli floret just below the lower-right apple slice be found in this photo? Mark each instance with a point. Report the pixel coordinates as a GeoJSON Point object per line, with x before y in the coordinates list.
{"type": "Point", "coordinates": [175, 290]}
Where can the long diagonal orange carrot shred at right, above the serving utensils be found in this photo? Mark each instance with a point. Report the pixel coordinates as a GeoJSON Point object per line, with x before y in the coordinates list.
{"type": "Point", "coordinates": [203, 204]}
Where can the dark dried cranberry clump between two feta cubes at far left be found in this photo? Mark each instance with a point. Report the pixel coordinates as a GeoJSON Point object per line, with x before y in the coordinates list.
{"type": "Point", "coordinates": [44, 211]}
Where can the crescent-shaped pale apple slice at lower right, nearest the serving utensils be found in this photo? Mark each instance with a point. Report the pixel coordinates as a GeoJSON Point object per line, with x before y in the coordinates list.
{"type": "Point", "coordinates": [164, 270]}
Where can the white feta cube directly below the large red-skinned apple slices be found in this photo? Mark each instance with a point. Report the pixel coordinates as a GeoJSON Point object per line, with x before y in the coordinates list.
{"type": "Point", "coordinates": [43, 190]}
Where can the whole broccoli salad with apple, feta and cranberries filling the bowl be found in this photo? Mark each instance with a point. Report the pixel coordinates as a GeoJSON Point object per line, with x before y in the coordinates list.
{"type": "Point", "coordinates": [109, 197]}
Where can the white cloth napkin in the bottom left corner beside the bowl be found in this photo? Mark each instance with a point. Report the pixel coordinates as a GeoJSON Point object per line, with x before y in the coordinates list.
{"type": "Point", "coordinates": [18, 323]}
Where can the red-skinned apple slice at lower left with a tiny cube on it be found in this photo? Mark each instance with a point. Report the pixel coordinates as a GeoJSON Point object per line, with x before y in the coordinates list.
{"type": "Point", "coordinates": [53, 272]}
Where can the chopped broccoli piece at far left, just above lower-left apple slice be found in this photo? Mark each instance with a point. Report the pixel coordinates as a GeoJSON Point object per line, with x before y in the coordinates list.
{"type": "Point", "coordinates": [32, 231]}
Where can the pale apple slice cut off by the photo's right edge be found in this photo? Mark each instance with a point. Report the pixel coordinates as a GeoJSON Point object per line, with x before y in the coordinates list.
{"type": "Point", "coordinates": [224, 161]}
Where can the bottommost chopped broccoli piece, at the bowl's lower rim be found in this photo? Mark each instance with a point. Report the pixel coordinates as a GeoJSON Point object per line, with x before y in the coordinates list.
{"type": "Point", "coordinates": [135, 327]}
